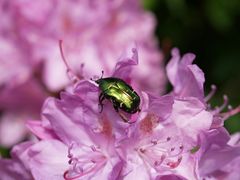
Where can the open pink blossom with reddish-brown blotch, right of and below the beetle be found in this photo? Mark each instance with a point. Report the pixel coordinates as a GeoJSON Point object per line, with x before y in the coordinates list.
{"type": "Point", "coordinates": [169, 144]}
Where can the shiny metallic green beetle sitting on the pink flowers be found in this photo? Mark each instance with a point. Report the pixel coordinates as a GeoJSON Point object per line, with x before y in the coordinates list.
{"type": "Point", "coordinates": [120, 94]}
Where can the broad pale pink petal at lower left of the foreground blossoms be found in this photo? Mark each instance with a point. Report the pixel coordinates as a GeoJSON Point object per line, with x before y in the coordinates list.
{"type": "Point", "coordinates": [46, 159]}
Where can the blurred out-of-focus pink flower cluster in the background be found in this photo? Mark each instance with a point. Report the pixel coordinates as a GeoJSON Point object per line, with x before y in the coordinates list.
{"type": "Point", "coordinates": [95, 33]}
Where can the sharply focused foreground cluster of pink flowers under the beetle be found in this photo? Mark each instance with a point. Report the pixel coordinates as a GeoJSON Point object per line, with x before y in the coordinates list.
{"type": "Point", "coordinates": [175, 136]}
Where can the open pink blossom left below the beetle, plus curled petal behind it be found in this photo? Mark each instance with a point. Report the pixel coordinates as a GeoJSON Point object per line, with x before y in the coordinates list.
{"type": "Point", "coordinates": [88, 149]}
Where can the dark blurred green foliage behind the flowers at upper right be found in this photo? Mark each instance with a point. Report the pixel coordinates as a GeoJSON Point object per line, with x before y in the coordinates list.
{"type": "Point", "coordinates": [211, 30]}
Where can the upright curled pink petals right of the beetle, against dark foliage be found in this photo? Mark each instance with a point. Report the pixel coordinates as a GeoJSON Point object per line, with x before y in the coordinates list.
{"type": "Point", "coordinates": [186, 78]}
